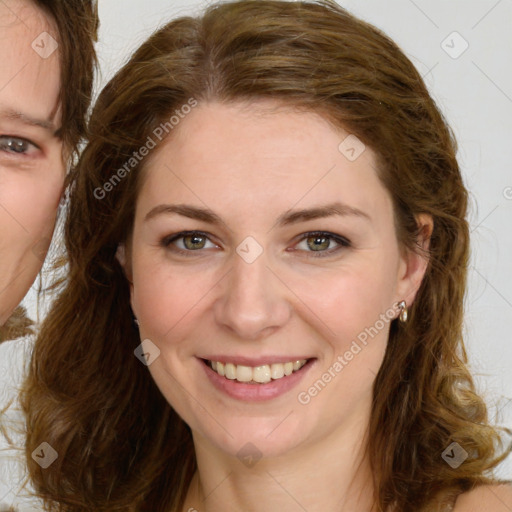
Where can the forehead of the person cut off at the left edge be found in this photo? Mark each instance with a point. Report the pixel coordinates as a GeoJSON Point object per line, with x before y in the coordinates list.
{"type": "Point", "coordinates": [30, 70]}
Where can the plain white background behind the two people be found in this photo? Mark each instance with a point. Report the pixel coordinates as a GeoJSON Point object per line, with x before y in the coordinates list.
{"type": "Point", "coordinates": [475, 93]}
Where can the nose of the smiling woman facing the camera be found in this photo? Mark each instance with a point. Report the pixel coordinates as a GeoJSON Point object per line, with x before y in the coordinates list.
{"type": "Point", "coordinates": [252, 302]}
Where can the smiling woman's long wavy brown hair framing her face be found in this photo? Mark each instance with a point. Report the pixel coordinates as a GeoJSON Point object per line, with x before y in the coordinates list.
{"type": "Point", "coordinates": [121, 446]}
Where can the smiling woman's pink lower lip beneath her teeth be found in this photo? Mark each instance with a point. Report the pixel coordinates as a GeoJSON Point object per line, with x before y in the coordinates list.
{"type": "Point", "coordinates": [256, 392]}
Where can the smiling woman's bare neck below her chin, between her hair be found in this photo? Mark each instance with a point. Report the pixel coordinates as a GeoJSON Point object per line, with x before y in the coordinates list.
{"type": "Point", "coordinates": [331, 474]}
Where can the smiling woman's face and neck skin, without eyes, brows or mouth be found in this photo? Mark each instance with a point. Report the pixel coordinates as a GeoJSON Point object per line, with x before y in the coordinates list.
{"type": "Point", "coordinates": [250, 164]}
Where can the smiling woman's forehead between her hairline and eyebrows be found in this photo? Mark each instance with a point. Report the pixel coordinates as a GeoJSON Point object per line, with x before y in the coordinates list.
{"type": "Point", "coordinates": [248, 158]}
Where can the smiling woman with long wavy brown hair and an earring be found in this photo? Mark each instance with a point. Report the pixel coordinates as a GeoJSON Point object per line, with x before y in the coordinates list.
{"type": "Point", "coordinates": [300, 233]}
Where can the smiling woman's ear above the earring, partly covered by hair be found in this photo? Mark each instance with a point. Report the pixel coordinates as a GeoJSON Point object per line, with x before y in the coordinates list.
{"type": "Point", "coordinates": [413, 264]}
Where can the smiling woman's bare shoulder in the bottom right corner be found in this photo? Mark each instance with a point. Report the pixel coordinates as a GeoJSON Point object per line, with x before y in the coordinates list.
{"type": "Point", "coordinates": [491, 498]}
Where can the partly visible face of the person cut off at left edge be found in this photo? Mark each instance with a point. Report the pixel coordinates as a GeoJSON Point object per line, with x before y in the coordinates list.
{"type": "Point", "coordinates": [31, 165]}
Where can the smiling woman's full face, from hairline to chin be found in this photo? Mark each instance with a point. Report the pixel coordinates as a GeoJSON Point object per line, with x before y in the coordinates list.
{"type": "Point", "coordinates": [262, 239]}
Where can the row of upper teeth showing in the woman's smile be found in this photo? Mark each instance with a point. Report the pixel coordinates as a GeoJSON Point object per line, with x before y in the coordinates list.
{"type": "Point", "coordinates": [261, 374]}
